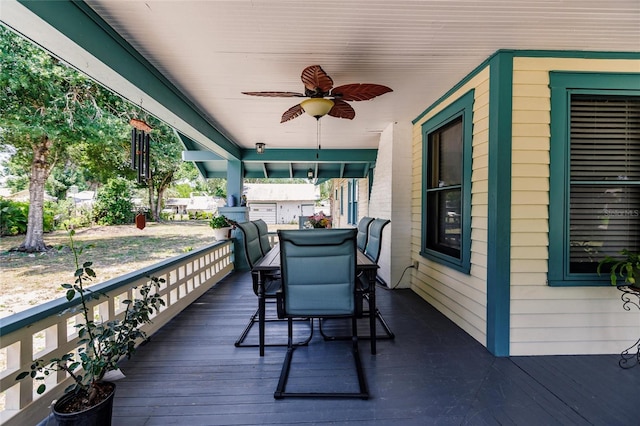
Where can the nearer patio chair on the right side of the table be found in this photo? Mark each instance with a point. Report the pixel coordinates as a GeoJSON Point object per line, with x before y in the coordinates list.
{"type": "Point", "coordinates": [372, 251]}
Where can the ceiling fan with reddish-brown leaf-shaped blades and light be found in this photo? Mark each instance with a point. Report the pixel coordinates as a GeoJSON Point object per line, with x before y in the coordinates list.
{"type": "Point", "coordinates": [323, 97]}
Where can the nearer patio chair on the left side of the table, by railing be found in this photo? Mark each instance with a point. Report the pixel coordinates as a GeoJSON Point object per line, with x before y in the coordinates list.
{"type": "Point", "coordinates": [272, 282]}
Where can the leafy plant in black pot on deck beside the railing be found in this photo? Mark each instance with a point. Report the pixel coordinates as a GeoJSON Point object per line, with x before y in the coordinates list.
{"type": "Point", "coordinates": [89, 399]}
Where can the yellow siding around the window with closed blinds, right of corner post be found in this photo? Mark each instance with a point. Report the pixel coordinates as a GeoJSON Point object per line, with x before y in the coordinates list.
{"type": "Point", "coordinates": [552, 320]}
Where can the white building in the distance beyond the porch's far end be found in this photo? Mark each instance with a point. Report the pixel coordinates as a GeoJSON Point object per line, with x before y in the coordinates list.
{"type": "Point", "coordinates": [281, 203]}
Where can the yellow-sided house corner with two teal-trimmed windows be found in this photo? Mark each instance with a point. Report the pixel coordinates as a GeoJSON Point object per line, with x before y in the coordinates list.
{"type": "Point", "coordinates": [526, 173]}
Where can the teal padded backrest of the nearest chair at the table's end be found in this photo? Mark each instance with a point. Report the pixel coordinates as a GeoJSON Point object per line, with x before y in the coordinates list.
{"type": "Point", "coordinates": [318, 272]}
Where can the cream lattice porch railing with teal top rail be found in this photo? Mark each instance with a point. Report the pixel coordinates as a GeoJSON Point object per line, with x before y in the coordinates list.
{"type": "Point", "coordinates": [48, 331]}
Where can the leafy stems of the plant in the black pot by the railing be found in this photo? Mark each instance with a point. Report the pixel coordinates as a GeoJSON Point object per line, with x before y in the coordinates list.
{"type": "Point", "coordinates": [105, 343]}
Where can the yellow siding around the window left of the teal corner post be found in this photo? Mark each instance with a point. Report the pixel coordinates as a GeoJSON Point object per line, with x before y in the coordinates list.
{"type": "Point", "coordinates": [459, 296]}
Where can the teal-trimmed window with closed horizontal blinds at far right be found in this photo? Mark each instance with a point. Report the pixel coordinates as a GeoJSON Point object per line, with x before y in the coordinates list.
{"type": "Point", "coordinates": [595, 174]}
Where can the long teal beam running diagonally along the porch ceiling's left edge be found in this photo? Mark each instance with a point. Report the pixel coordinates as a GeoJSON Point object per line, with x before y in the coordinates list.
{"type": "Point", "coordinates": [77, 21]}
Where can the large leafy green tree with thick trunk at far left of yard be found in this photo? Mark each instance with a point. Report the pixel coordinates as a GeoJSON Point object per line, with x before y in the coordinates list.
{"type": "Point", "coordinates": [48, 111]}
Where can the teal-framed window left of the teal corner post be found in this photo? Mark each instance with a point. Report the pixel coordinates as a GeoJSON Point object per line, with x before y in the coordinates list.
{"type": "Point", "coordinates": [447, 185]}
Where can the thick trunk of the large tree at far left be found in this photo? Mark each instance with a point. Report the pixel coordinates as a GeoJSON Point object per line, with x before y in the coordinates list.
{"type": "Point", "coordinates": [40, 170]}
